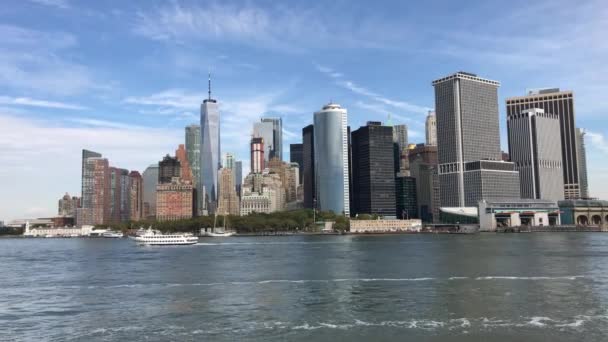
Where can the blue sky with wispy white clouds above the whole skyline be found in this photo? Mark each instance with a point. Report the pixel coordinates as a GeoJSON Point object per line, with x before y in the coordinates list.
{"type": "Point", "coordinates": [124, 77]}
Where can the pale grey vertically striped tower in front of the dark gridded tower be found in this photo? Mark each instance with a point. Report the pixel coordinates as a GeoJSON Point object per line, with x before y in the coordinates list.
{"type": "Point", "coordinates": [535, 148]}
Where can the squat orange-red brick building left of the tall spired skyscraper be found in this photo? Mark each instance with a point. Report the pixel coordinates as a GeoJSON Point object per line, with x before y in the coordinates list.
{"type": "Point", "coordinates": [174, 200]}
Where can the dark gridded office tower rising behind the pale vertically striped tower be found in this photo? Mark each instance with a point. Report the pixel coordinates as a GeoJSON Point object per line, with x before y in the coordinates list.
{"type": "Point", "coordinates": [560, 103]}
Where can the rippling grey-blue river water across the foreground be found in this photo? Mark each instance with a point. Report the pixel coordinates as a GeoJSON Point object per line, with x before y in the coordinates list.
{"type": "Point", "coordinates": [509, 287]}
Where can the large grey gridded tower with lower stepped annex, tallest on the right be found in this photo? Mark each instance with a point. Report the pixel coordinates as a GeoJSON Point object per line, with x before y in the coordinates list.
{"type": "Point", "coordinates": [468, 140]}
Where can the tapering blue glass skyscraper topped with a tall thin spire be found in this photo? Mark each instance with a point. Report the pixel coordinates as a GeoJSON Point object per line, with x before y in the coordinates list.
{"type": "Point", "coordinates": [210, 153]}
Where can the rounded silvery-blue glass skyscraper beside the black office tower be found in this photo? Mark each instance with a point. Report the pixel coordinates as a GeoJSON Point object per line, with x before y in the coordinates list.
{"type": "Point", "coordinates": [332, 159]}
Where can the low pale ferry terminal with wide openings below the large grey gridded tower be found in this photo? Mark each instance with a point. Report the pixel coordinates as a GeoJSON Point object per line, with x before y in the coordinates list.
{"type": "Point", "coordinates": [517, 213]}
